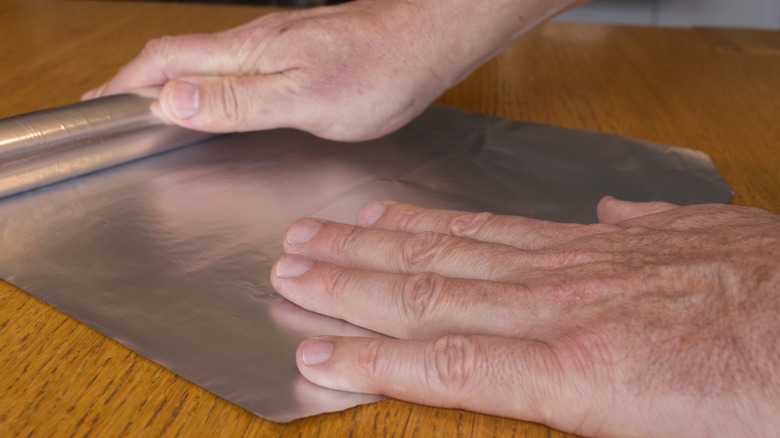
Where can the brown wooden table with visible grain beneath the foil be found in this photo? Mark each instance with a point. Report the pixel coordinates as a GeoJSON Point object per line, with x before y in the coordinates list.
{"type": "Point", "coordinates": [713, 90]}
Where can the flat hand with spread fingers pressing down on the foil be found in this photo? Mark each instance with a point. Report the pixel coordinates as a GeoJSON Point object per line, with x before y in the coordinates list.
{"type": "Point", "coordinates": [660, 320]}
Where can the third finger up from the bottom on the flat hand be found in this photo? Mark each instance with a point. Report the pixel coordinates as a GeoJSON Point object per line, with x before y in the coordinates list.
{"type": "Point", "coordinates": [413, 253]}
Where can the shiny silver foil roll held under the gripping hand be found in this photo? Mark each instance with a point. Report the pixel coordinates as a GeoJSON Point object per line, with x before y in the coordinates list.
{"type": "Point", "coordinates": [54, 145]}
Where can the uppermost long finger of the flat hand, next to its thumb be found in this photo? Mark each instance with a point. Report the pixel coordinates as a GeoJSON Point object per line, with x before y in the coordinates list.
{"type": "Point", "coordinates": [517, 231]}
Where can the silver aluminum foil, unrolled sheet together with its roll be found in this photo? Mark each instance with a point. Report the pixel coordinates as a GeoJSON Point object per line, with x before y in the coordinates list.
{"type": "Point", "coordinates": [170, 255]}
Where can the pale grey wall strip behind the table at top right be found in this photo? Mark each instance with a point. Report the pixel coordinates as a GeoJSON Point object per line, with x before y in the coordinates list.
{"type": "Point", "coordinates": [729, 13]}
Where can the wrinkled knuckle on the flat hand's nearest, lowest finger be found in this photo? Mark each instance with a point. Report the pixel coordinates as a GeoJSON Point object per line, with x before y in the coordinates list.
{"type": "Point", "coordinates": [452, 362]}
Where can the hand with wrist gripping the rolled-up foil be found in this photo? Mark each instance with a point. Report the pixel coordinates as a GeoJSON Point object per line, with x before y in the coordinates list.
{"type": "Point", "coordinates": [348, 72]}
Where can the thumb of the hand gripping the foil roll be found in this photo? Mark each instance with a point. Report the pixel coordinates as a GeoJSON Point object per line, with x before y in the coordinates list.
{"type": "Point", "coordinates": [226, 103]}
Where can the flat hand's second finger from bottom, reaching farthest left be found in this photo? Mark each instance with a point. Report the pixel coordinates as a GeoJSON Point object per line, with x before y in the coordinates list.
{"type": "Point", "coordinates": [418, 306]}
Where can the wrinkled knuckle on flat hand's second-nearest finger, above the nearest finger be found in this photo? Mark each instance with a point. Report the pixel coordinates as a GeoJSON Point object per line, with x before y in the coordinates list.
{"type": "Point", "coordinates": [420, 294]}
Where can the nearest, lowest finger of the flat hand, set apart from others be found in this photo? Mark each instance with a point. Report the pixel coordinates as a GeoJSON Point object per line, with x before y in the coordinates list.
{"type": "Point", "coordinates": [499, 376]}
